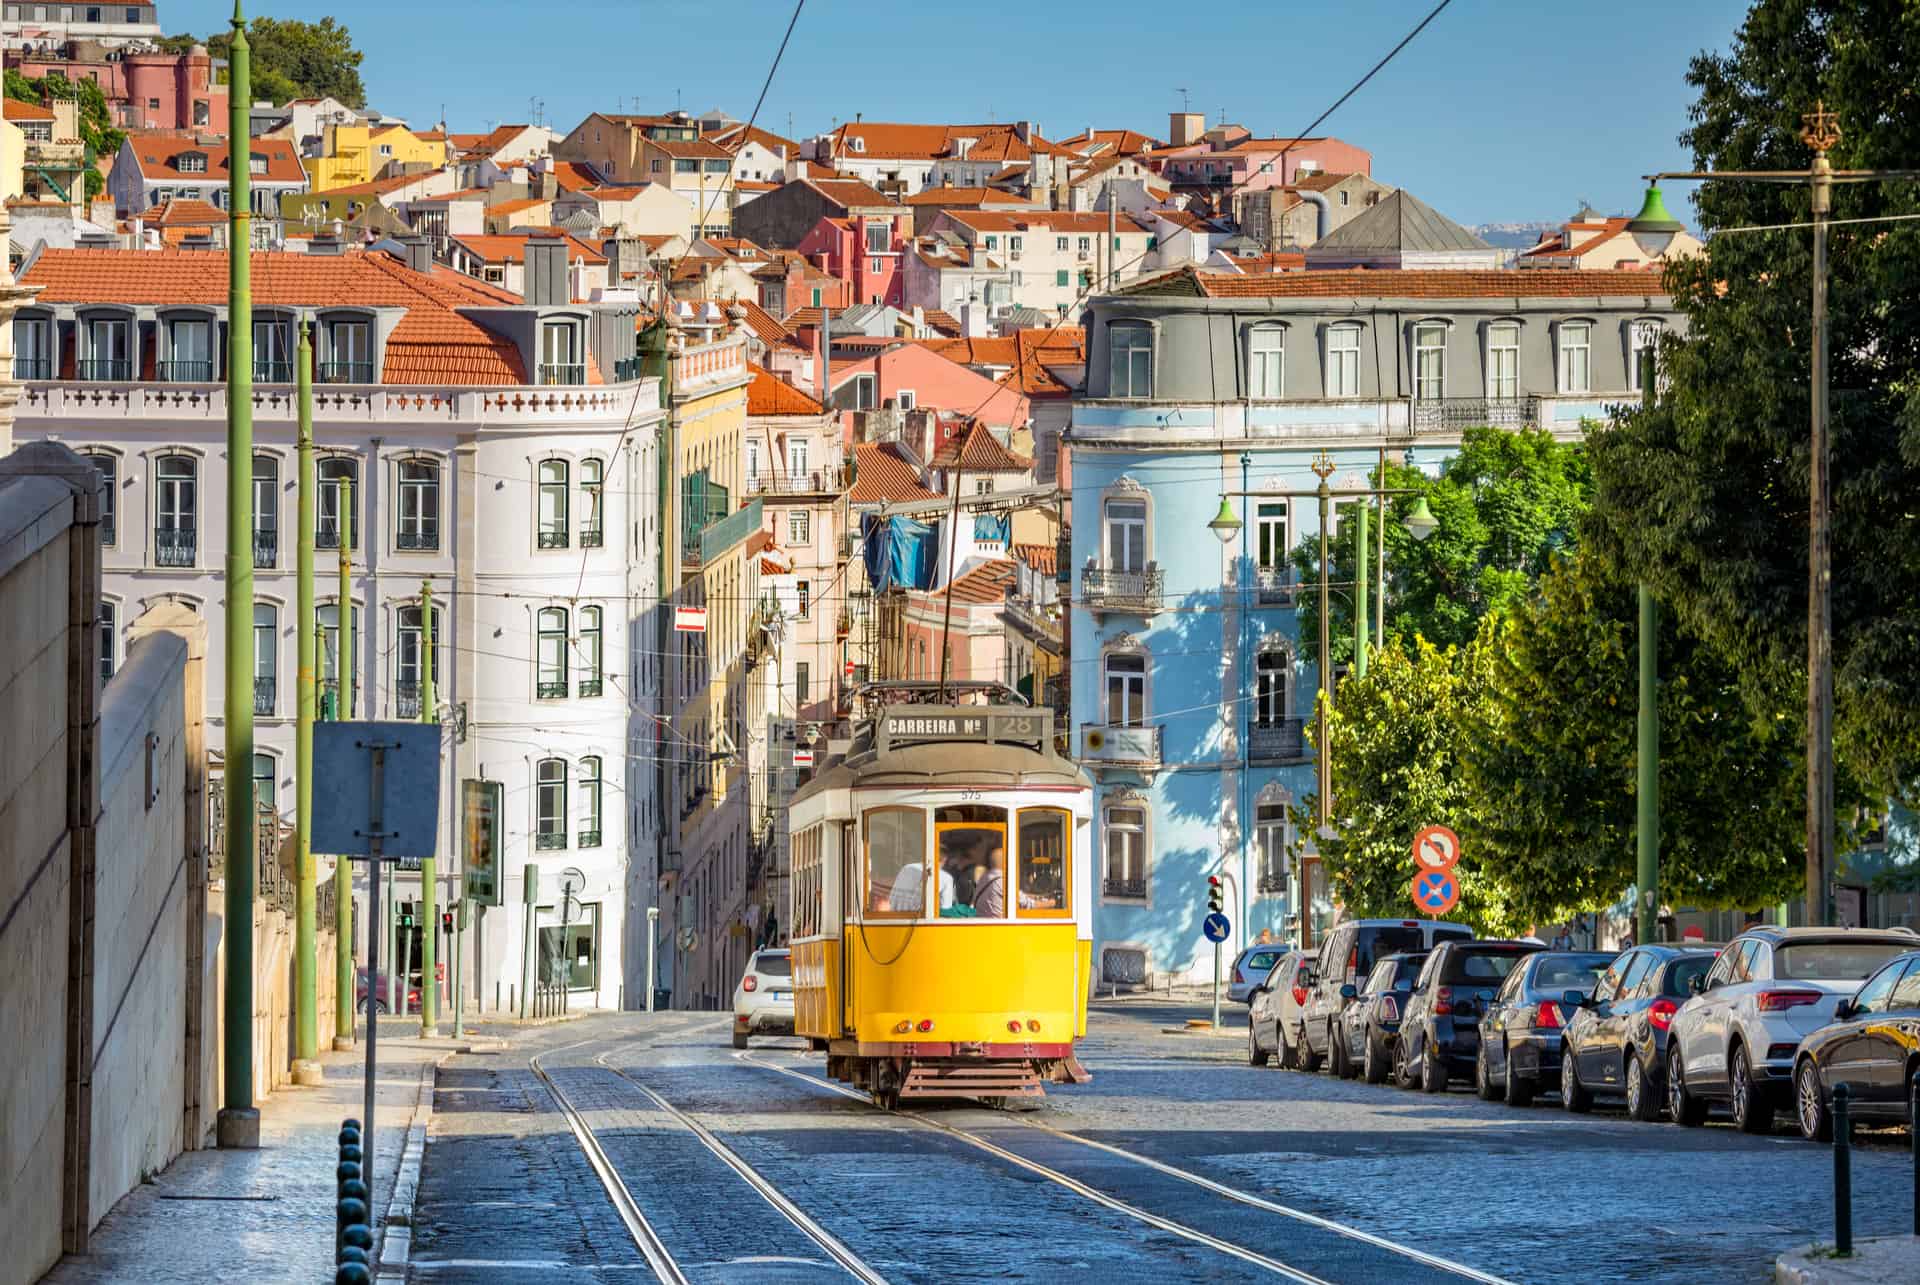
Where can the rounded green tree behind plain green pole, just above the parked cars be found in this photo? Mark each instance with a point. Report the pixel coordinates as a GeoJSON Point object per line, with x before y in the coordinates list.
{"type": "Point", "coordinates": [1550, 760]}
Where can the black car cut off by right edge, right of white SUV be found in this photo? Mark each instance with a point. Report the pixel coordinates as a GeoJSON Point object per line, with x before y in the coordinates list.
{"type": "Point", "coordinates": [1873, 1046]}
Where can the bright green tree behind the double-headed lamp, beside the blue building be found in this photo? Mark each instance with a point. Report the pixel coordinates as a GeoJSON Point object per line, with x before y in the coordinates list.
{"type": "Point", "coordinates": [1506, 502]}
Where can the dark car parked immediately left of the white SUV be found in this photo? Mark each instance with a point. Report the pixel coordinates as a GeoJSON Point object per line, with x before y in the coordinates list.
{"type": "Point", "coordinates": [1618, 1040]}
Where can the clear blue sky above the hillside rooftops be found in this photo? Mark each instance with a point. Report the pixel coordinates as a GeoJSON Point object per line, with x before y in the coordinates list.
{"type": "Point", "coordinates": [1502, 110]}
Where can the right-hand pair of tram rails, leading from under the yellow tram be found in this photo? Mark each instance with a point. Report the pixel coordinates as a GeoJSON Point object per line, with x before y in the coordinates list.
{"type": "Point", "coordinates": [1191, 1234]}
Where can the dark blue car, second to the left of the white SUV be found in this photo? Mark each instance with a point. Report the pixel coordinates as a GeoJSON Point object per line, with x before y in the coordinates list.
{"type": "Point", "coordinates": [1522, 1032]}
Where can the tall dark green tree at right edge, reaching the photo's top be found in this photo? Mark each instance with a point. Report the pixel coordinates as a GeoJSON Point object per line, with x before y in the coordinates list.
{"type": "Point", "coordinates": [1706, 497]}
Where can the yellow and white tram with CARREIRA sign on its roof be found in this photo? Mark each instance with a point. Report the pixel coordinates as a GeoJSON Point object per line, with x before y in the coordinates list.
{"type": "Point", "coordinates": [942, 915]}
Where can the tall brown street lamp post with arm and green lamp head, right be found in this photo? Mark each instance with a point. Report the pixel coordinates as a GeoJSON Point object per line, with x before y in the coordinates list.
{"type": "Point", "coordinates": [1654, 230]}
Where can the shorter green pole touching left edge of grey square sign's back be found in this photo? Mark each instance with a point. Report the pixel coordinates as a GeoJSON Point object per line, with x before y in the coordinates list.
{"type": "Point", "coordinates": [306, 906]}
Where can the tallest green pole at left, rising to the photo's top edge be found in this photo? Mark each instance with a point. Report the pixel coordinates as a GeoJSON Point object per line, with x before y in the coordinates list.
{"type": "Point", "coordinates": [239, 1121]}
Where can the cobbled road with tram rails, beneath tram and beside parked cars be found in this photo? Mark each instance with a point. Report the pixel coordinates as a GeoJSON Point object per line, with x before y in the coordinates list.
{"type": "Point", "coordinates": [1356, 1182]}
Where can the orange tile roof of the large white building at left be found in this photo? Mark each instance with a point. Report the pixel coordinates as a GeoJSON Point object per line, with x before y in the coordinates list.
{"type": "Point", "coordinates": [431, 345]}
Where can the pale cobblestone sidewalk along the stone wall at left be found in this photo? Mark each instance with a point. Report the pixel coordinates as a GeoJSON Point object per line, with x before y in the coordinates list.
{"type": "Point", "coordinates": [262, 1215]}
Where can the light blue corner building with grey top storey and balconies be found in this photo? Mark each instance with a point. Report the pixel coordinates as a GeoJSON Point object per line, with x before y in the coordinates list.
{"type": "Point", "coordinates": [1188, 694]}
